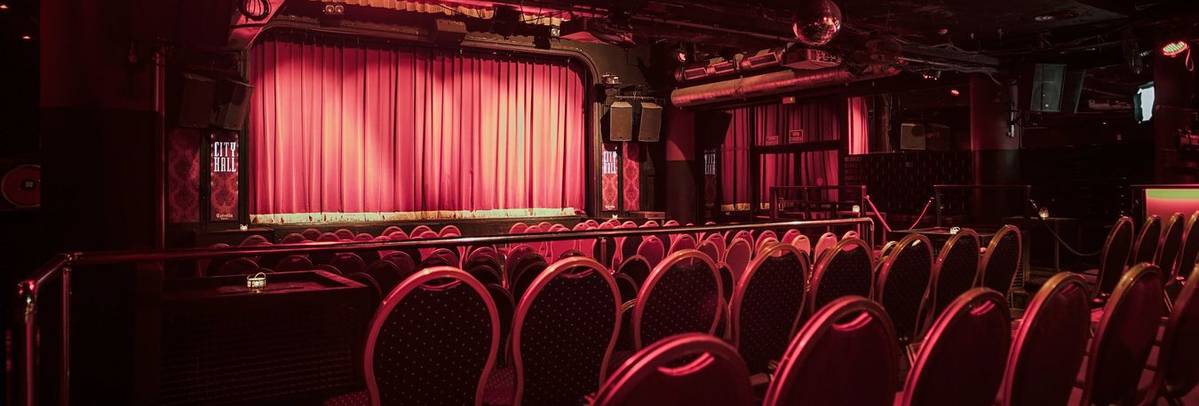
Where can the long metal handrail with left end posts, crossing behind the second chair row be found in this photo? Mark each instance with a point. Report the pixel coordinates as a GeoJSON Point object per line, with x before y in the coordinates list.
{"type": "Point", "coordinates": [61, 266]}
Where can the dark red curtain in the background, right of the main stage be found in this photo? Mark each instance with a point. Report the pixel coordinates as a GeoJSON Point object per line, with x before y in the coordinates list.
{"type": "Point", "coordinates": [780, 125]}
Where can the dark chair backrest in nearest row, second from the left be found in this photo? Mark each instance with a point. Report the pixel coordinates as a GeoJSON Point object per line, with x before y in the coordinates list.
{"type": "Point", "coordinates": [845, 356]}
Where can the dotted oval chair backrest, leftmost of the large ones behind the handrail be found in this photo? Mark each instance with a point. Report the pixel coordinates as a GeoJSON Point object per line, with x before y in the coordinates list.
{"type": "Point", "coordinates": [433, 342]}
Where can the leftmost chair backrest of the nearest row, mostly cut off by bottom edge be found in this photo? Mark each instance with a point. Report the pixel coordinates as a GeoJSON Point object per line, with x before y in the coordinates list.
{"type": "Point", "coordinates": [682, 371]}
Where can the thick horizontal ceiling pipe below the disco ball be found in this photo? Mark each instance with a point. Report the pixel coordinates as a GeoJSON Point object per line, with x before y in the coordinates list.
{"type": "Point", "coordinates": [767, 84]}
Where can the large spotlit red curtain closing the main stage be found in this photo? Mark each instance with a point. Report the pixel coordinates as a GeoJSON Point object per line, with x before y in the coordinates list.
{"type": "Point", "coordinates": [342, 128]}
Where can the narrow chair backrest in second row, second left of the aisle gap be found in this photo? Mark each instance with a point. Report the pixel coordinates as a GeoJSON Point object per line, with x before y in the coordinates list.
{"type": "Point", "coordinates": [954, 272]}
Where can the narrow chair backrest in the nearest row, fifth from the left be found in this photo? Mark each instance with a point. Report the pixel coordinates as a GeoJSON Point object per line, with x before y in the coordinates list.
{"type": "Point", "coordinates": [1124, 338]}
